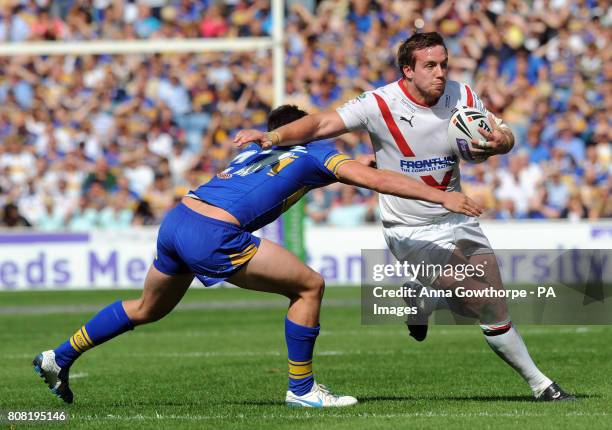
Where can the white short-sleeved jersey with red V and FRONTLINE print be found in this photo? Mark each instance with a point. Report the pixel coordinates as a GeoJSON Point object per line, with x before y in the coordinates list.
{"type": "Point", "coordinates": [411, 138]}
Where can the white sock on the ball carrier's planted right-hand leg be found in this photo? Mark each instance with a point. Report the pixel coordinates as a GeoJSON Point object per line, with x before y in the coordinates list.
{"type": "Point", "coordinates": [506, 341]}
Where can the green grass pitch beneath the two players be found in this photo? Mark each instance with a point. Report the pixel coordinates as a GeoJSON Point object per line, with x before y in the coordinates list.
{"type": "Point", "coordinates": [219, 362]}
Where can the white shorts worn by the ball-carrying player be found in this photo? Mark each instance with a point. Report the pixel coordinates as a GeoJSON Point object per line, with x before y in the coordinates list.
{"type": "Point", "coordinates": [434, 243]}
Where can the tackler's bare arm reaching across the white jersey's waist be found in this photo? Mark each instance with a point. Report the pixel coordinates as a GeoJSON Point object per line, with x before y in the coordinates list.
{"type": "Point", "coordinates": [387, 182]}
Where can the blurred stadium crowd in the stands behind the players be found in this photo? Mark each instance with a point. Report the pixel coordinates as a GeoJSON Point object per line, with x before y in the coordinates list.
{"type": "Point", "coordinates": [112, 141]}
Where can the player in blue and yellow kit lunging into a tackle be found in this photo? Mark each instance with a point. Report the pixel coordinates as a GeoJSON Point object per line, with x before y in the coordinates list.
{"type": "Point", "coordinates": [209, 236]}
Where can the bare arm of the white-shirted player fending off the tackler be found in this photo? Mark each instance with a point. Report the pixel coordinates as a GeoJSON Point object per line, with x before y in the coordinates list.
{"type": "Point", "coordinates": [311, 127]}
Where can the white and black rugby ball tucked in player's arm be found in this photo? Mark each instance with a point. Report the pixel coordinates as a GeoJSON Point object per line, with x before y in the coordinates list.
{"type": "Point", "coordinates": [462, 128]}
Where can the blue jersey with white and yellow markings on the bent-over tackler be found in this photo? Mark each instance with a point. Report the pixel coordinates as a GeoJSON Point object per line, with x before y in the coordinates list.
{"type": "Point", "coordinates": [259, 185]}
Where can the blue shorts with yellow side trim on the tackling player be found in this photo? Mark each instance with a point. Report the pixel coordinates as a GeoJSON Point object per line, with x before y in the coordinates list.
{"type": "Point", "coordinates": [213, 250]}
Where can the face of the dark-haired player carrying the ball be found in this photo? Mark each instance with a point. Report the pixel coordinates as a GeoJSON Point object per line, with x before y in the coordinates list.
{"type": "Point", "coordinates": [430, 71]}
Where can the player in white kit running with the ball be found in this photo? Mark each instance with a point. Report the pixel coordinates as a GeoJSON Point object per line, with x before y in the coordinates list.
{"type": "Point", "coordinates": [407, 121]}
